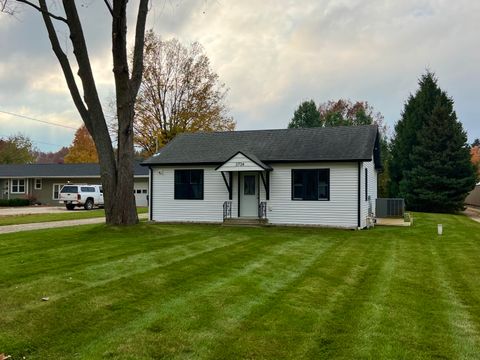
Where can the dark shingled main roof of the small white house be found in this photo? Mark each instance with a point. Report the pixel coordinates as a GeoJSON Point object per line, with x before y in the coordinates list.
{"type": "Point", "coordinates": [342, 143]}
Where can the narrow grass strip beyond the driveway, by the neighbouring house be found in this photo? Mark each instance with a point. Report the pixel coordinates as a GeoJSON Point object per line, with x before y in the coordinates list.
{"type": "Point", "coordinates": [71, 215]}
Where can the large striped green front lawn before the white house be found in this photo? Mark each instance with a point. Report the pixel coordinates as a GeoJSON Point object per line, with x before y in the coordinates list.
{"type": "Point", "coordinates": [212, 292]}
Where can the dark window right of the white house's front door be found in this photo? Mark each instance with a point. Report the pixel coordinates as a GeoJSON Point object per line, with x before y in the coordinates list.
{"type": "Point", "coordinates": [311, 184]}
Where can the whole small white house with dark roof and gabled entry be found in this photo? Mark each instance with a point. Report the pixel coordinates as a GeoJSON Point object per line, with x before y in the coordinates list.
{"type": "Point", "coordinates": [317, 176]}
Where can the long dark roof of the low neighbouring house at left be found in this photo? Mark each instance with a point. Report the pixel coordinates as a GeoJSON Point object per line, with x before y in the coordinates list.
{"type": "Point", "coordinates": [58, 170]}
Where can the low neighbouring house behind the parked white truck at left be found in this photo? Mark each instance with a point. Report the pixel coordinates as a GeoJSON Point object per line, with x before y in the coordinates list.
{"type": "Point", "coordinates": [43, 181]}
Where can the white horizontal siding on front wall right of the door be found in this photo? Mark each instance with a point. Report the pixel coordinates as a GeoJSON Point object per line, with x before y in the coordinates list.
{"type": "Point", "coordinates": [340, 211]}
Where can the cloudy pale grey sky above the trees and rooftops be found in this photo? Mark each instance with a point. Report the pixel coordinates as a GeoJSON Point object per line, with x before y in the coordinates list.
{"type": "Point", "coordinates": [271, 54]}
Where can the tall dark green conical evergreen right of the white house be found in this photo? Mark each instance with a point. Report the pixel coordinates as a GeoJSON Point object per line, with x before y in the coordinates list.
{"type": "Point", "coordinates": [436, 172]}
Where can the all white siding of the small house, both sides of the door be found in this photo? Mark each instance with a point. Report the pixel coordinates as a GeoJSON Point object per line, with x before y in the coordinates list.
{"type": "Point", "coordinates": [339, 211]}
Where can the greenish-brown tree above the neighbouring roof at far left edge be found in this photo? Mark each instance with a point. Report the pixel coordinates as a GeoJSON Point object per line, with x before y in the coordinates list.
{"type": "Point", "coordinates": [17, 149]}
